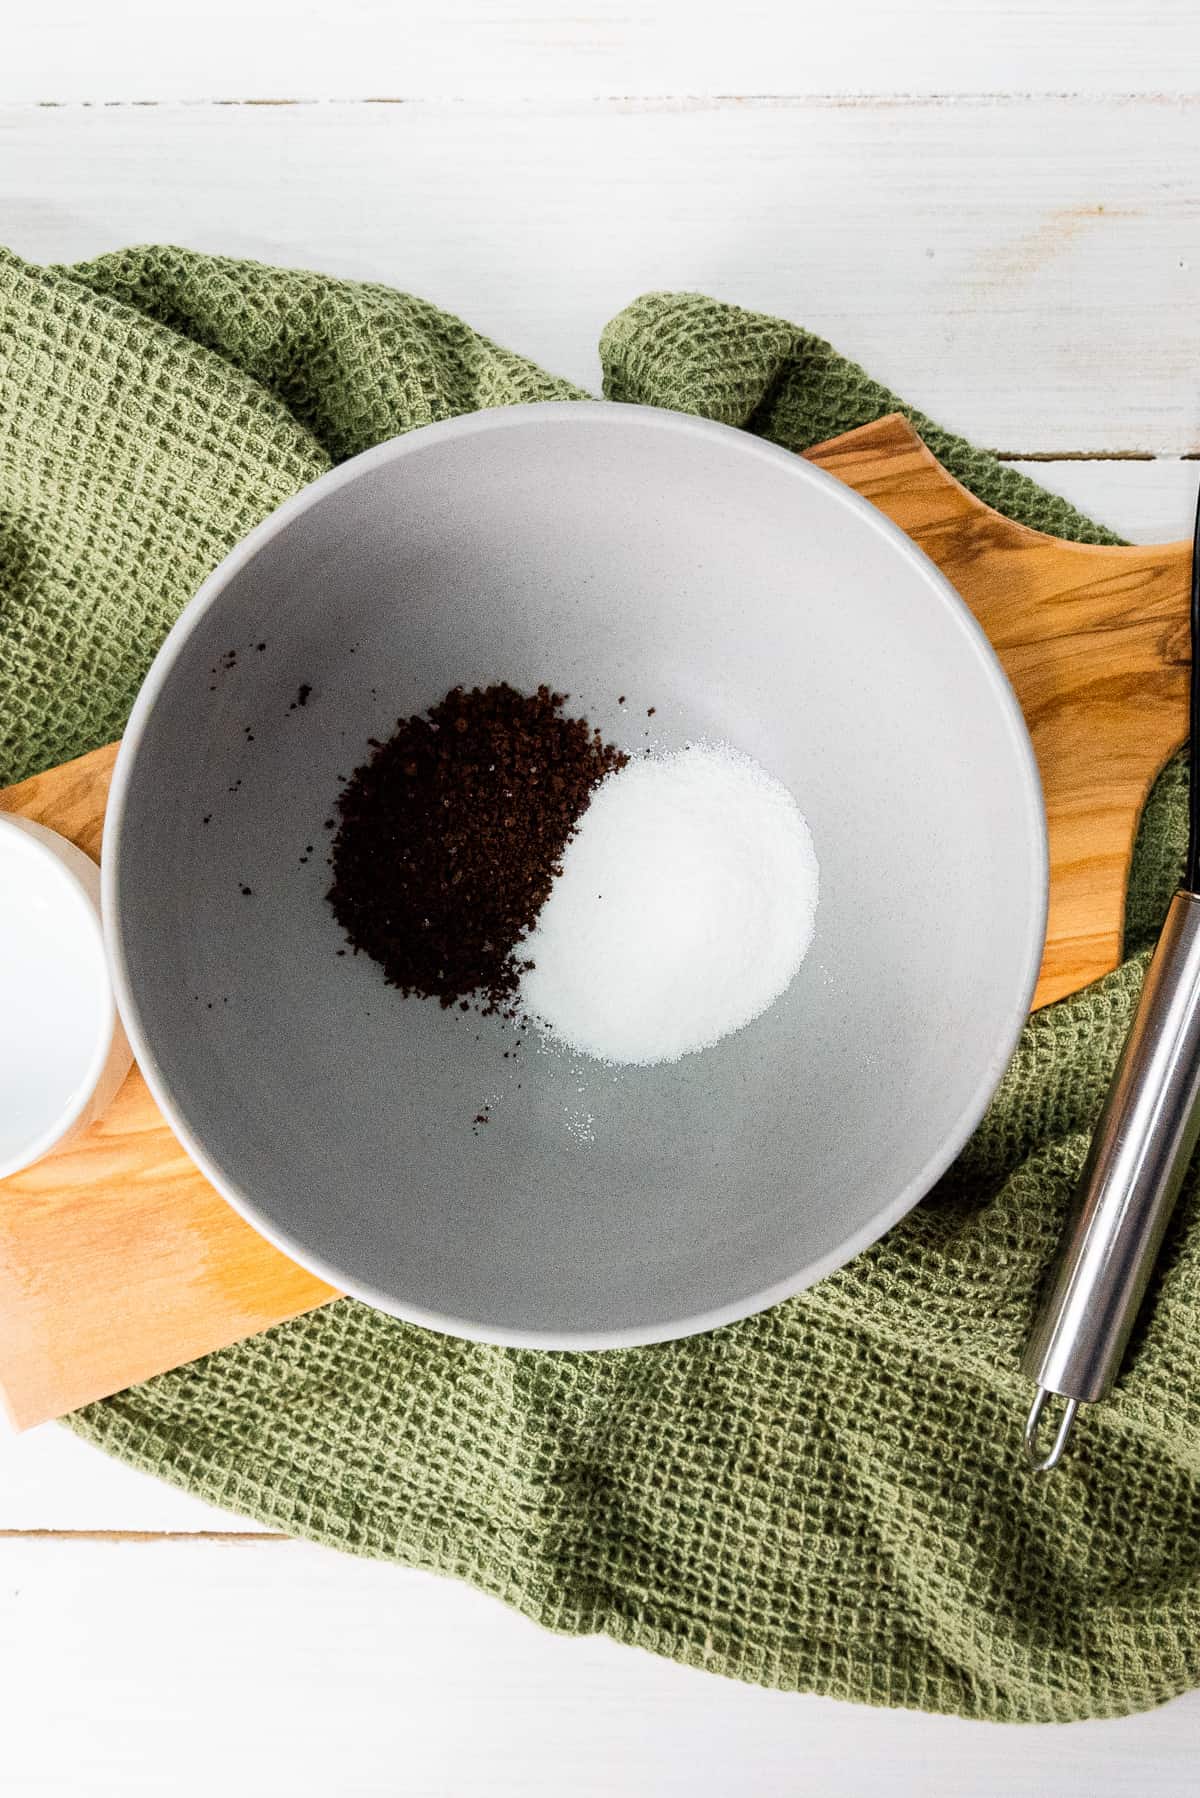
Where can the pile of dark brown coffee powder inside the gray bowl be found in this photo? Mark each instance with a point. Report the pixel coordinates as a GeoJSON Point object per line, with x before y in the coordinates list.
{"type": "Point", "coordinates": [451, 837]}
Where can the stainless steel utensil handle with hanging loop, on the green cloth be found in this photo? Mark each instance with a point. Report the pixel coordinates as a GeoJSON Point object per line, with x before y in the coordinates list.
{"type": "Point", "coordinates": [1129, 1188]}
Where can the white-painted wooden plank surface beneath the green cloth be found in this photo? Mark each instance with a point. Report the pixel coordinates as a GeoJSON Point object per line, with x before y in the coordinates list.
{"type": "Point", "coordinates": [996, 206]}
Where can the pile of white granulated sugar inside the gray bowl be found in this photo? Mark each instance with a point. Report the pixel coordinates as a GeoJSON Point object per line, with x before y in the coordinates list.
{"type": "Point", "coordinates": [685, 909]}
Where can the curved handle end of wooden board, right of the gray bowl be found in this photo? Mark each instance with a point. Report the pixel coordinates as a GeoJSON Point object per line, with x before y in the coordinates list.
{"type": "Point", "coordinates": [1095, 641]}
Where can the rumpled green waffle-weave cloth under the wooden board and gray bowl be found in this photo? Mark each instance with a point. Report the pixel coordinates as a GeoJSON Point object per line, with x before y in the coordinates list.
{"type": "Point", "coordinates": [828, 1497]}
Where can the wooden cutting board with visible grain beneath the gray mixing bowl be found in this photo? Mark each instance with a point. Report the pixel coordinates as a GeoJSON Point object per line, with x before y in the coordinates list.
{"type": "Point", "coordinates": [120, 1261]}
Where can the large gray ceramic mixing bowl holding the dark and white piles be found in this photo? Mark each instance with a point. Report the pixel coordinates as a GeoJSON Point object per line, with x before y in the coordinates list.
{"type": "Point", "coordinates": [609, 551]}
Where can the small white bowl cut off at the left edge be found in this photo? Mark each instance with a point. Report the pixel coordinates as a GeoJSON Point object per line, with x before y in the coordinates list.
{"type": "Point", "coordinates": [64, 1053]}
